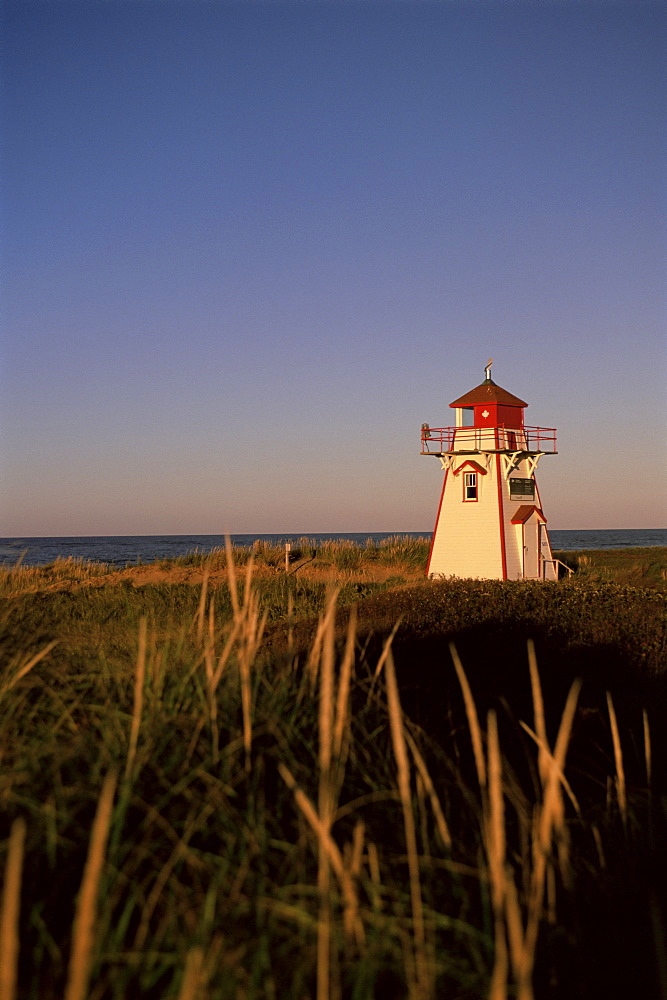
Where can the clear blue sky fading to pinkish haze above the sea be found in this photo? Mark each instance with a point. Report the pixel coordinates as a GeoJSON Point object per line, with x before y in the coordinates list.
{"type": "Point", "coordinates": [249, 247]}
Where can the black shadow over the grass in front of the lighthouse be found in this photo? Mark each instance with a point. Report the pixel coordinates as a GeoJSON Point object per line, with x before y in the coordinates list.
{"type": "Point", "coordinates": [611, 927]}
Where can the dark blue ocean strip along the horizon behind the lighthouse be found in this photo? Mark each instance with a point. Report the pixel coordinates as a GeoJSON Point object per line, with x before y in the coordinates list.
{"type": "Point", "coordinates": [121, 550]}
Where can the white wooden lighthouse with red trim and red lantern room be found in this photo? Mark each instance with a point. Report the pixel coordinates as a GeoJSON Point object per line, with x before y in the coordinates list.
{"type": "Point", "coordinates": [490, 523]}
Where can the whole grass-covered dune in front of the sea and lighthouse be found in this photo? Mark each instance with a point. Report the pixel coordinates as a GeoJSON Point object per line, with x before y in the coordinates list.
{"type": "Point", "coordinates": [222, 780]}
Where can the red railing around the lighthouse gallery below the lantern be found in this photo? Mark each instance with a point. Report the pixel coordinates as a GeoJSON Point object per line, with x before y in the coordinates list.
{"type": "Point", "coordinates": [437, 440]}
